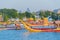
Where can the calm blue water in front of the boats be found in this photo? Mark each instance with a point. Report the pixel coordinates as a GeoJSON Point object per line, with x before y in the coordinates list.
{"type": "Point", "coordinates": [25, 35]}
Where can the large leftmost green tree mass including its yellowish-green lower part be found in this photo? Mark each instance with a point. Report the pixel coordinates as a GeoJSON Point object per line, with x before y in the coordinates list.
{"type": "Point", "coordinates": [8, 13]}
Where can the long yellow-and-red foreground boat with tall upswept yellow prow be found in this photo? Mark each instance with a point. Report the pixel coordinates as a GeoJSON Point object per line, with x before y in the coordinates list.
{"type": "Point", "coordinates": [27, 26]}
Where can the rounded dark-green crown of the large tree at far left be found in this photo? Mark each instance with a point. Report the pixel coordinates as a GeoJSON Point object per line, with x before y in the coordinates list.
{"type": "Point", "coordinates": [10, 12]}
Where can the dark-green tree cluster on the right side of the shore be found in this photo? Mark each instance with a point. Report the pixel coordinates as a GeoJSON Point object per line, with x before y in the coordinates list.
{"type": "Point", "coordinates": [53, 15]}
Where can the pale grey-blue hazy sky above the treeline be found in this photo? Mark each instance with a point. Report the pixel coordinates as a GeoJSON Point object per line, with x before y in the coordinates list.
{"type": "Point", "coordinates": [33, 5]}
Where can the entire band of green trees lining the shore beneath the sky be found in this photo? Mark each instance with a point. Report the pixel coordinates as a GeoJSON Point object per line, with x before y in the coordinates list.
{"type": "Point", "coordinates": [13, 13]}
